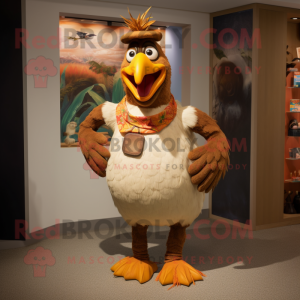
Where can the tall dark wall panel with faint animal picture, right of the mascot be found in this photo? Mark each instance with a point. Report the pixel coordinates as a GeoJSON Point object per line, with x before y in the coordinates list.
{"type": "Point", "coordinates": [232, 83]}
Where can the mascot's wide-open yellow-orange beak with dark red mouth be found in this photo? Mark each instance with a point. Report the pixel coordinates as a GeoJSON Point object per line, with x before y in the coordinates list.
{"type": "Point", "coordinates": [143, 77]}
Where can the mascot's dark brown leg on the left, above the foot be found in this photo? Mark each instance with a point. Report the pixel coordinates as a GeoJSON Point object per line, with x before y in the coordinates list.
{"type": "Point", "coordinates": [139, 242]}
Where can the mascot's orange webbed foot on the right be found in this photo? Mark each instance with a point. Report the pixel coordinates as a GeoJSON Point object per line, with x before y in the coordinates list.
{"type": "Point", "coordinates": [178, 272]}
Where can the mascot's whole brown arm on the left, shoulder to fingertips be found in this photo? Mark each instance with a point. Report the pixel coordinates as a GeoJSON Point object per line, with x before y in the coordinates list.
{"type": "Point", "coordinates": [91, 142]}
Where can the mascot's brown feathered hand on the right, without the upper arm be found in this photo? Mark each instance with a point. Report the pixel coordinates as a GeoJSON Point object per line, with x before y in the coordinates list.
{"type": "Point", "coordinates": [210, 162]}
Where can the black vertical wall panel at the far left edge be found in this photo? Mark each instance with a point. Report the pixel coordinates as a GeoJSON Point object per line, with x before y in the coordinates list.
{"type": "Point", "coordinates": [12, 205]}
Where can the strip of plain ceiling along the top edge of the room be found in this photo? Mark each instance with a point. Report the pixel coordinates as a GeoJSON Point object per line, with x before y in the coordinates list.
{"type": "Point", "coordinates": [207, 6]}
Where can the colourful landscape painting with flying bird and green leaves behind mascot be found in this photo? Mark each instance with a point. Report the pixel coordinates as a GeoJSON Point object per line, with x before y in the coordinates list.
{"type": "Point", "coordinates": [91, 55]}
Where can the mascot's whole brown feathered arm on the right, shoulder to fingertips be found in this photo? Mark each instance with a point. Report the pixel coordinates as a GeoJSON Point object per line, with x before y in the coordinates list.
{"type": "Point", "coordinates": [210, 161]}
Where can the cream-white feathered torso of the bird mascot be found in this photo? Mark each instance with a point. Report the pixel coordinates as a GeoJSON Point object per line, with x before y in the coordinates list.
{"type": "Point", "coordinates": [154, 188]}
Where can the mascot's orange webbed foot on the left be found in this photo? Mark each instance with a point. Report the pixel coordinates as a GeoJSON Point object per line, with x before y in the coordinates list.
{"type": "Point", "coordinates": [132, 268]}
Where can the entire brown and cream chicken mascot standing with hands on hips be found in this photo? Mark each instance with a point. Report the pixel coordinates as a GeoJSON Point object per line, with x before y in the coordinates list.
{"type": "Point", "coordinates": [156, 173]}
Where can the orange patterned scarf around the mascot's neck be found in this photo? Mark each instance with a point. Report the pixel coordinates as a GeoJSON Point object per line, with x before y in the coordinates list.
{"type": "Point", "coordinates": [145, 125]}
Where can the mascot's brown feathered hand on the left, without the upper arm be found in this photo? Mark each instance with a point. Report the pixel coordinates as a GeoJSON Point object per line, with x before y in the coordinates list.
{"type": "Point", "coordinates": [91, 144]}
